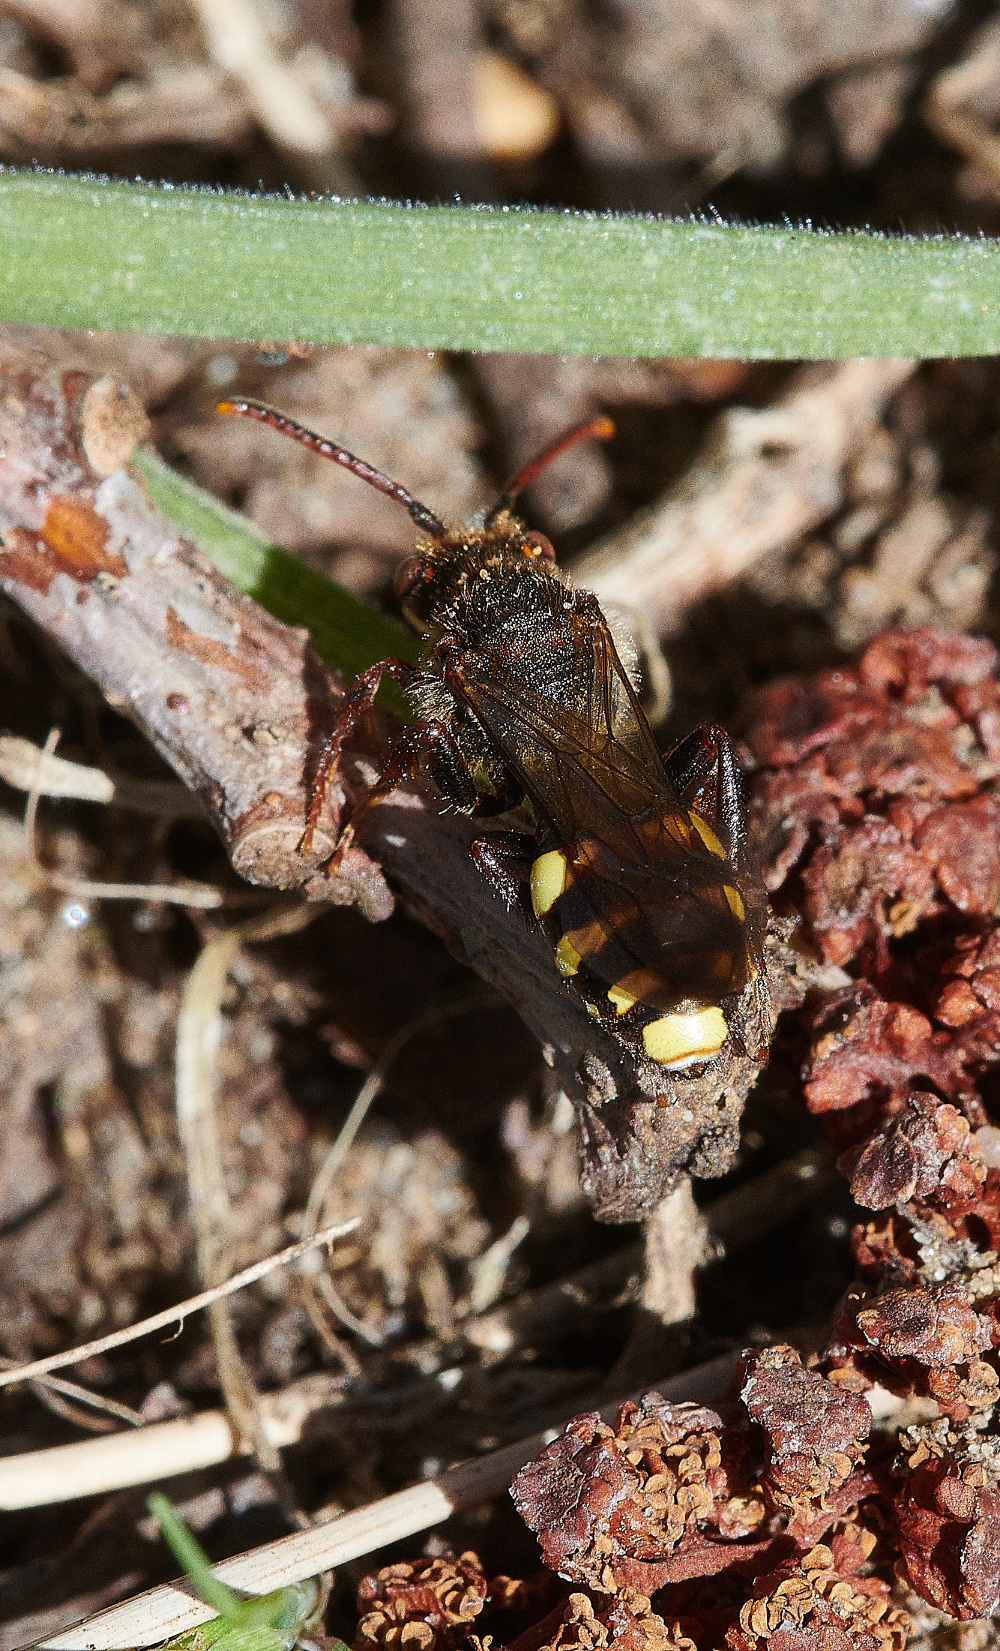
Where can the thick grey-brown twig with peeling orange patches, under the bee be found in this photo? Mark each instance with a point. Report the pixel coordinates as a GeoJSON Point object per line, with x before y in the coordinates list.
{"type": "Point", "coordinates": [238, 704]}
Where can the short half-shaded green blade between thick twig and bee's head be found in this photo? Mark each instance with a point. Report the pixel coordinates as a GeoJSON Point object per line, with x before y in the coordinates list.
{"type": "Point", "coordinates": [346, 632]}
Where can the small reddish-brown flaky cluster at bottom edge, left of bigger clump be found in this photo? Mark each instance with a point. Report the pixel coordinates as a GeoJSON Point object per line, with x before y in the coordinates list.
{"type": "Point", "coordinates": [422, 1604]}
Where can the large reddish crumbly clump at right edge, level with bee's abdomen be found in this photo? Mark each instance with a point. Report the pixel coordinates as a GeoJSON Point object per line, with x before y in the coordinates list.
{"type": "Point", "coordinates": [877, 790]}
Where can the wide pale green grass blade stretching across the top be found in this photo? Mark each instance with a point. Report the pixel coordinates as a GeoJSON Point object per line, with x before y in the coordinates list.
{"type": "Point", "coordinates": [95, 253]}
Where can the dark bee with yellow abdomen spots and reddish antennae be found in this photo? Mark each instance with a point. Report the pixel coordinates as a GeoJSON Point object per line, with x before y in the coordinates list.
{"type": "Point", "coordinates": [636, 863]}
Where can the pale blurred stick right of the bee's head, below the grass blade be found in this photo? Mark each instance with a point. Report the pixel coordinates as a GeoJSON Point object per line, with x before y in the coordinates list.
{"type": "Point", "coordinates": [768, 476]}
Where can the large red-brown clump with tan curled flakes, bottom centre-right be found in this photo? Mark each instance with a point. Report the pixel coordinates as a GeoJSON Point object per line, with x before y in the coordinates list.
{"type": "Point", "coordinates": [724, 1516]}
